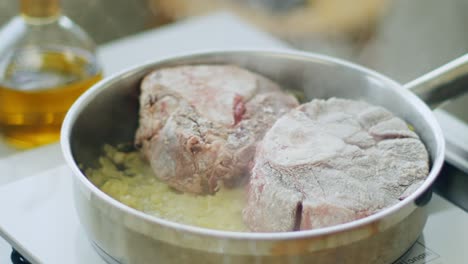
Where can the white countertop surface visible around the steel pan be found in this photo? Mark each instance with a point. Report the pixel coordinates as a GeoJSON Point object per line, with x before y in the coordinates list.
{"type": "Point", "coordinates": [35, 185]}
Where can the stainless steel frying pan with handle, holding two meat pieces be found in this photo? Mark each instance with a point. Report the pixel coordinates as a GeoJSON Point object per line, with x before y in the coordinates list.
{"type": "Point", "coordinates": [107, 114]}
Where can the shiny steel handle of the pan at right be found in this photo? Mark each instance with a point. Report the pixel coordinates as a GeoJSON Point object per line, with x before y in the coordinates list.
{"type": "Point", "coordinates": [442, 84]}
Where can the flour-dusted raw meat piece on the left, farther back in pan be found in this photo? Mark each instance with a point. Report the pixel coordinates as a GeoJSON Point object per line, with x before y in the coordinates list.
{"type": "Point", "coordinates": [199, 125]}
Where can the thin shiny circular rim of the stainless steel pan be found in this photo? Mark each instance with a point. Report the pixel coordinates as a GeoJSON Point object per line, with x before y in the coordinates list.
{"type": "Point", "coordinates": [81, 103]}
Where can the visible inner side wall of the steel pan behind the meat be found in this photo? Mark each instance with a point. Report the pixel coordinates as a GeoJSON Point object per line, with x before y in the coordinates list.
{"type": "Point", "coordinates": [110, 113]}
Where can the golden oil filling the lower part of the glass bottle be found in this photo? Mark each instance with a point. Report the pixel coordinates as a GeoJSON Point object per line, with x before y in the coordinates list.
{"type": "Point", "coordinates": [37, 88]}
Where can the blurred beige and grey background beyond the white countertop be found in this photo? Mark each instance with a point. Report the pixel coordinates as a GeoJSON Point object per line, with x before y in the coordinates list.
{"type": "Point", "coordinates": [400, 38]}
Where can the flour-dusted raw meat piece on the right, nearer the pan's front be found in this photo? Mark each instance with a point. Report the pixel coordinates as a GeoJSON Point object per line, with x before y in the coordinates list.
{"type": "Point", "coordinates": [332, 161]}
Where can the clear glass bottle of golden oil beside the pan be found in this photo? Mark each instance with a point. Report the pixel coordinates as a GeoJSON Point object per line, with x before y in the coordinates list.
{"type": "Point", "coordinates": [46, 62]}
